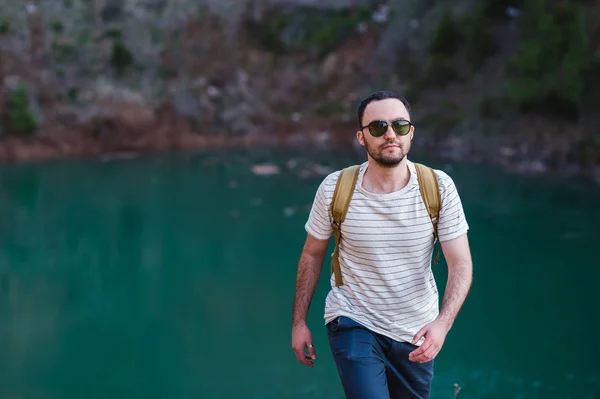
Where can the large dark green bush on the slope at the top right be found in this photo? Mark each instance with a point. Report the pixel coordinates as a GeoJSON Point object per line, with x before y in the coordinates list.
{"type": "Point", "coordinates": [548, 73]}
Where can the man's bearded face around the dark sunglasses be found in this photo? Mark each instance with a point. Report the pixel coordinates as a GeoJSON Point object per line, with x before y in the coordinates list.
{"type": "Point", "coordinates": [390, 149]}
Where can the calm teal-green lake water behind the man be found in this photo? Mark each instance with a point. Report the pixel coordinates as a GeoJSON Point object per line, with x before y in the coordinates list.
{"type": "Point", "coordinates": [173, 276]}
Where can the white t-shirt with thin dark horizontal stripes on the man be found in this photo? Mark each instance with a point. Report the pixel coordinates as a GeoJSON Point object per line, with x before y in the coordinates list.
{"type": "Point", "coordinates": [386, 252]}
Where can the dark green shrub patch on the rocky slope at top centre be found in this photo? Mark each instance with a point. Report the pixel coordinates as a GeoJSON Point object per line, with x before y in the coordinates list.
{"type": "Point", "coordinates": [306, 29]}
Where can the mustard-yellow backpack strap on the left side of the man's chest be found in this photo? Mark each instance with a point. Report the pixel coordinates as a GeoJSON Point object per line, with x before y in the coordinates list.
{"type": "Point", "coordinates": [340, 202]}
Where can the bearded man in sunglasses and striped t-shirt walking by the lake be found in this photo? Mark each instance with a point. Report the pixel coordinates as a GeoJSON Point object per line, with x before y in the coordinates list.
{"type": "Point", "coordinates": [384, 324]}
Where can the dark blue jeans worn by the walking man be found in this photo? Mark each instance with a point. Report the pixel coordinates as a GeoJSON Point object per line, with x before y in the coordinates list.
{"type": "Point", "coordinates": [372, 366]}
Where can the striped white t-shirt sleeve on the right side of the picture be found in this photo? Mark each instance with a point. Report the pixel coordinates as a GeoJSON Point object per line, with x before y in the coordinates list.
{"type": "Point", "coordinates": [452, 222]}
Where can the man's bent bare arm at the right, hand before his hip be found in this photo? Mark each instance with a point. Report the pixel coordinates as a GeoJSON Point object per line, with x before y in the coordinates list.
{"type": "Point", "coordinates": [460, 276]}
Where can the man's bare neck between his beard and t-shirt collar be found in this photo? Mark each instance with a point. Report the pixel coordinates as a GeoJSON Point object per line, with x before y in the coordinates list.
{"type": "Point", "coordinates": [382, 180]}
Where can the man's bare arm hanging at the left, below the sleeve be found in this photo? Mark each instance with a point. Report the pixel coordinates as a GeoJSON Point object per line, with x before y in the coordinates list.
{"type": "Point", "coordinates": [309, 270]}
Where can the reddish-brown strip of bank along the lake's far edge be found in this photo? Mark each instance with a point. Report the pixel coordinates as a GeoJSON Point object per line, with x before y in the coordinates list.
{"type": "Point", "coordinates": [74, 146]}
